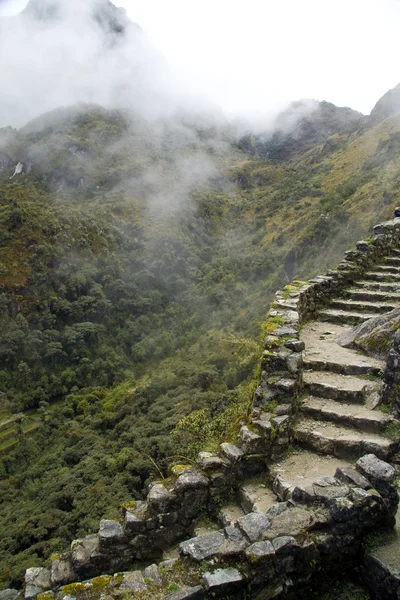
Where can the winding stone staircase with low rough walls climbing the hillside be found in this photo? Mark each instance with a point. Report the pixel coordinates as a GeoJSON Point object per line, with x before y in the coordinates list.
{"type": "Point", "coordinates": [301, 486]}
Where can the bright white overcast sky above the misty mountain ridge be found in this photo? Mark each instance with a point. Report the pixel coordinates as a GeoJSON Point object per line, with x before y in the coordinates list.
{"type": "Point", "coordinates": [250, 55]}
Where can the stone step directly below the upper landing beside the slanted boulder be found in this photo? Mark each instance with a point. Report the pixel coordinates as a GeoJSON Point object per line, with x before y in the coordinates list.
{"type": "Point", "coordinates": [343, 388]}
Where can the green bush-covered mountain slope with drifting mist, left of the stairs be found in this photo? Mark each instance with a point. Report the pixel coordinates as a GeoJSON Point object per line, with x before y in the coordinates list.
{"type": "Point", "coordinates": [136, 267]}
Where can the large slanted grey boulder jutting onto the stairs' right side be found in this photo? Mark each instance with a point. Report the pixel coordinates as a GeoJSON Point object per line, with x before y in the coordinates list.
{"type": "Point", "coordinates": [374, 336]}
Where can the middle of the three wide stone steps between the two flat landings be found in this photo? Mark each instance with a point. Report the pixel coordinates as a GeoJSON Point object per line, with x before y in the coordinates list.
{"type": "Point", "coordinates": [358, 417]}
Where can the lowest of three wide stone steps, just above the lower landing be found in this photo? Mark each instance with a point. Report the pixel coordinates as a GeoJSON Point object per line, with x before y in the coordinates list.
{"type": "Point", "coordinates": [342, 442]}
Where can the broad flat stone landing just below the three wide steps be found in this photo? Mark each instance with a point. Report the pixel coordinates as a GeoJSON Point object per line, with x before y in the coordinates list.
{"type": "Point", "coordinates": [302, 467]}
